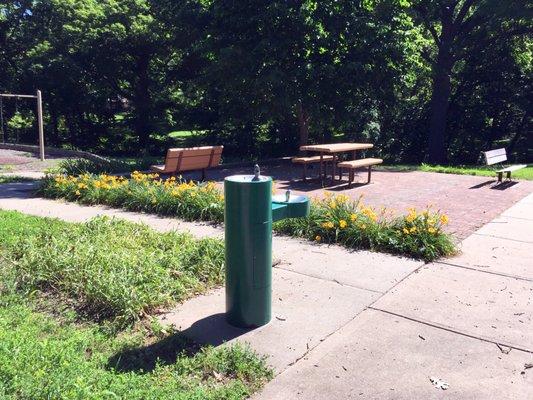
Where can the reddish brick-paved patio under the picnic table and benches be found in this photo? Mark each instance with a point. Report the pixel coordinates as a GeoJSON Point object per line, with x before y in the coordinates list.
{"type": "Point", "coordinates": [470, 201]}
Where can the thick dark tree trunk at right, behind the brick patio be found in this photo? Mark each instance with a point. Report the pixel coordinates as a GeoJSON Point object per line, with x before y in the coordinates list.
{"type": "Point", "coordinates": [440, 102]}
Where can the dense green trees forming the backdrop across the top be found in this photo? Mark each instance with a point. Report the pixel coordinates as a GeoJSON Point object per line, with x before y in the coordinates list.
{"type": "Point", "coordinates": [423, 79]}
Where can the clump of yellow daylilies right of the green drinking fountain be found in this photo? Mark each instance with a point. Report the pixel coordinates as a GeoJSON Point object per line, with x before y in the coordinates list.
{"type": "Point", "coordinates": [338, 219]}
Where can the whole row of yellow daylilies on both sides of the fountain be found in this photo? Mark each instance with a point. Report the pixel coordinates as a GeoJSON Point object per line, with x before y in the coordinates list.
{"type": "Point", "coordinates": [335, 219]}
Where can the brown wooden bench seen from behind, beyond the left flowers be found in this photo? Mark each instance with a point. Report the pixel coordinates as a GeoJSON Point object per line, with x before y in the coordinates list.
{"type": "Point", "coordinates": [189, 159]}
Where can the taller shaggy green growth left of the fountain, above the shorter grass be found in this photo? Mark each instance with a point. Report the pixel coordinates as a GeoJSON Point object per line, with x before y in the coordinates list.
{"type": "Point", "coordinates": [111, 269]}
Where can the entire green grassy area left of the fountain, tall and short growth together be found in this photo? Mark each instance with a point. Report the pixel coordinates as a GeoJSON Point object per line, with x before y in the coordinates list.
{"type": "Point", "coordinates": [61, 283]}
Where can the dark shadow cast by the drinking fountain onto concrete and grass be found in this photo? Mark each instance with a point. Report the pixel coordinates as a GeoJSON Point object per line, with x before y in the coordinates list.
{"type": "Point", "coordinates": [212, 330]}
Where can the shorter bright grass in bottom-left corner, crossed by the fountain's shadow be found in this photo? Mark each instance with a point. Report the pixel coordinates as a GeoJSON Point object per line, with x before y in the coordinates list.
{"type": "Point", "coordinates": [45, 353]}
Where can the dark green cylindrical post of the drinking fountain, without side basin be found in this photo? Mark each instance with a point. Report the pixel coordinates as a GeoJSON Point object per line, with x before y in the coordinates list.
{"type": "Point", "coordinates": [248, 236]}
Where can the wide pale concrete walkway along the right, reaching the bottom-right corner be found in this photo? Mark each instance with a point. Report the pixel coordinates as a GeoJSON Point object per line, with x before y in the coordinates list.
{"type": "Point", "coordinates": [467, 320]}
